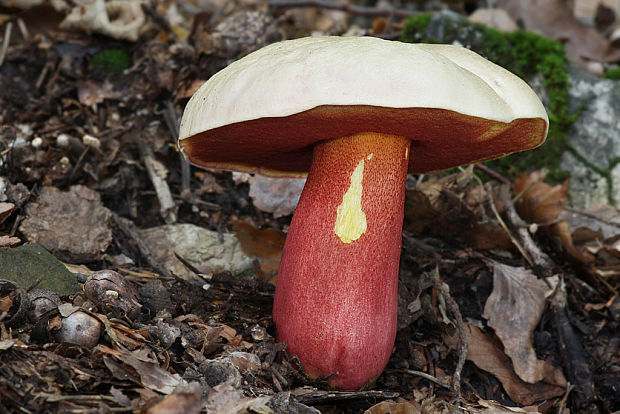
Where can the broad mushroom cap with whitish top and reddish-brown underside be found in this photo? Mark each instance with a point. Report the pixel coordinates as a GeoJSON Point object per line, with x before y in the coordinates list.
{"type": "Point", "coordinates": [264, 112]}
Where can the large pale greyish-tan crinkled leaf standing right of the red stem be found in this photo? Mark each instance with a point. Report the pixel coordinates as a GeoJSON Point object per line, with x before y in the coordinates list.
{"type": "Point", "coordinates": [513, 310]}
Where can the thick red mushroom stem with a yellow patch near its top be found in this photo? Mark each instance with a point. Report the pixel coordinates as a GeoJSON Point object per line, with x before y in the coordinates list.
{"type": "Point", "coordinates": [336, 298]}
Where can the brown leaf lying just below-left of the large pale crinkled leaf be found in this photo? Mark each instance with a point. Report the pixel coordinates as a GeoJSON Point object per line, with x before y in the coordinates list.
{"type": "Point", "coordinates": [487, 356]}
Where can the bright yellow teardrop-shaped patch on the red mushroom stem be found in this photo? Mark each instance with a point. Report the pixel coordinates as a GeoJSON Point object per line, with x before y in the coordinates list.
{"type": "Point", "coordinates": [350, 219]}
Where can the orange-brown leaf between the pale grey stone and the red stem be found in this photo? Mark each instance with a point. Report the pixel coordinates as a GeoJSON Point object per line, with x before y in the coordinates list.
{"type": "Point", "coordinates": [265, 245]}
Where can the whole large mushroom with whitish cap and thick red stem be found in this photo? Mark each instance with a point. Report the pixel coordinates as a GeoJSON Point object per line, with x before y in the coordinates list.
{"type": "Point", "coordinates": [356, 114]}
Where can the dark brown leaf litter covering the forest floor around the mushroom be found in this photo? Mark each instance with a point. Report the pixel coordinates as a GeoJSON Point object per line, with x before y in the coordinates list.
{"type": "Point", "coordinates": [89, 172]}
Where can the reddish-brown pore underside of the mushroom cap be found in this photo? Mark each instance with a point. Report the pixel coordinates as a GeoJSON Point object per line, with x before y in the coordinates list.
{"type": "Point", "coordinates": [282, 146]}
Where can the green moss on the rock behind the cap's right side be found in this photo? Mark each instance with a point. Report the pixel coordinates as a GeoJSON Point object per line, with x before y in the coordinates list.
{"type": "Point", "coordinates": [527, 55]}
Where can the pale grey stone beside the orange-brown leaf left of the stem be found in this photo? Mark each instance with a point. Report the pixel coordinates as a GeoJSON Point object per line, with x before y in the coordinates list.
{"type": "Point", "coordinates": [205, 250]}
